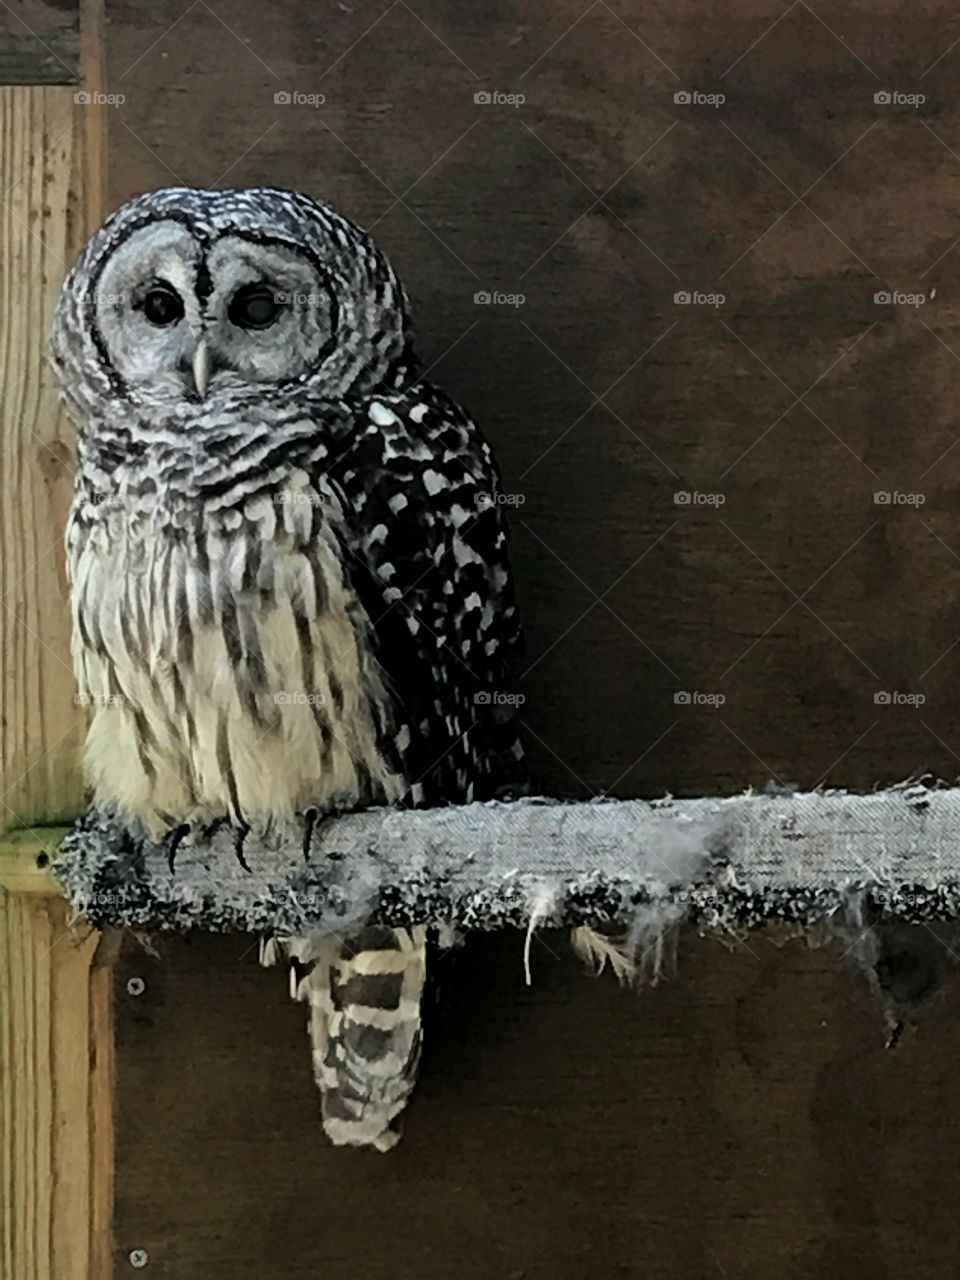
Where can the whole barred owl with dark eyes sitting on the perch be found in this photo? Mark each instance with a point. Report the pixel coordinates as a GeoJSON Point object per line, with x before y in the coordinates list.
{"type": "Point", "coordinates": [290, 574]}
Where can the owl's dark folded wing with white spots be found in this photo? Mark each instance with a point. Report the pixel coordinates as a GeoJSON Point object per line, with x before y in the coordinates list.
{"type": "Point", "coordinates": [427, 548]}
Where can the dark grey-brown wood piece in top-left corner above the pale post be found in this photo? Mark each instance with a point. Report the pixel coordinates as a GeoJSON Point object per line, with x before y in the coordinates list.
{"type": "Point", "coordinates": [40, 43]}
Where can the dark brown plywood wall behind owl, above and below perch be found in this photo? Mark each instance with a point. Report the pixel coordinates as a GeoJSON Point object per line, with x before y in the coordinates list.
{"type": "Point", "coordinates": [744, 1119]}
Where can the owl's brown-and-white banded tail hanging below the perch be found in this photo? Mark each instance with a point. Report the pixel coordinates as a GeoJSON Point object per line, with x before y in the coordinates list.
{"type": "Point", "coordinates": [365, 1026]}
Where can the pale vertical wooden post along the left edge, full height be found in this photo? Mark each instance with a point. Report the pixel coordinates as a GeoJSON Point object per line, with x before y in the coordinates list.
{"type": "Point", "coordinates": [56, 980]}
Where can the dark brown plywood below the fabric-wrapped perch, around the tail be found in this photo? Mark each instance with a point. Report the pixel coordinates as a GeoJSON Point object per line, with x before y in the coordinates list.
{"type": "Point", "coordinates": [743, 1119]}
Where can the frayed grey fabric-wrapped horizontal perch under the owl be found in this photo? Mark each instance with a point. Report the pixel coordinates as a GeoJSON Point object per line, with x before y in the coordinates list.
{"type": "Point", "coordinates": [726, 863]}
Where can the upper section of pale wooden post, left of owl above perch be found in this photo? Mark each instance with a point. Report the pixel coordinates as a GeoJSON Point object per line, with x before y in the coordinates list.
{"type": "Point", "coordinates": [42, 225]}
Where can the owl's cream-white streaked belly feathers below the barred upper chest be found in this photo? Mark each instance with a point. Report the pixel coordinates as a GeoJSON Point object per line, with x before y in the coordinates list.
{"type": "Point", "coordinates": [164, 766]}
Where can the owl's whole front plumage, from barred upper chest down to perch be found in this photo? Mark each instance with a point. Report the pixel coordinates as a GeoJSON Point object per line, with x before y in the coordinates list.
{"type": "Point", "coordinates": [220, 646]}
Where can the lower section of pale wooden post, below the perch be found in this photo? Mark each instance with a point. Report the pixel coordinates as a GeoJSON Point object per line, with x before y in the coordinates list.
{"type": "Point", "coordinates": [56, 1081]}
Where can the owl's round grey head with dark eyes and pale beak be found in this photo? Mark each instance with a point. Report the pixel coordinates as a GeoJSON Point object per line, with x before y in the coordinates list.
{"type": "Point", "coordinates": [186, 296]}
